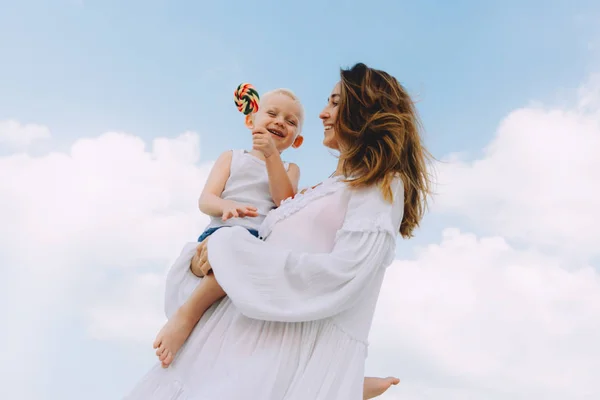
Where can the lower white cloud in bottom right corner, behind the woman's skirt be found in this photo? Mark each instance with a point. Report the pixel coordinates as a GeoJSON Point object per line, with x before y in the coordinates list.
{"type": "Point", "coordinates": [490, 319]}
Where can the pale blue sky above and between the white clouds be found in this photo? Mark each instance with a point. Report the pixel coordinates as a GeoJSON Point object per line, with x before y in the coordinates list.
{"type": "Point", "coordinates": [158, 68]}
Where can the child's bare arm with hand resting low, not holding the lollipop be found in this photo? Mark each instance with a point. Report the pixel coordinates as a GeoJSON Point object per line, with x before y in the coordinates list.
{"type": "Point", "coordinates": [210, 201]}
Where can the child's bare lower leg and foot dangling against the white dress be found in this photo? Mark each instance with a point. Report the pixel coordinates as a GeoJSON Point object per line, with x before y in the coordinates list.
{"type": "Point", "coordinates": [176, 331]}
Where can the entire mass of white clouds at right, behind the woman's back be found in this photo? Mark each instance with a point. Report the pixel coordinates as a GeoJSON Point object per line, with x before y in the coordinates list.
{"type": "Point", "coordinates": [514, 313]}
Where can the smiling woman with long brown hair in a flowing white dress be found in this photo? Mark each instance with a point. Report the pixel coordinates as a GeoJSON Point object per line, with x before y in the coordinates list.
{"type": "Point", "coordinates": [299, 305]}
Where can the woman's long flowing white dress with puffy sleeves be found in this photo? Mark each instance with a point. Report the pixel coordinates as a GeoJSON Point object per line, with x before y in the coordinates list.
{"type": "Point", "coordinates": [295, 323]}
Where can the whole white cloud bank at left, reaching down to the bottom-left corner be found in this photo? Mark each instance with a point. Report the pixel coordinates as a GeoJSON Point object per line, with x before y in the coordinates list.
{"type": "Point", "coordinates": [108, 214]}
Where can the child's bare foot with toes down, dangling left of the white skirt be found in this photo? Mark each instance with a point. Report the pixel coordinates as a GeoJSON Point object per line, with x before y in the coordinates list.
{"type": "Point", "coordinates": [172, 336]}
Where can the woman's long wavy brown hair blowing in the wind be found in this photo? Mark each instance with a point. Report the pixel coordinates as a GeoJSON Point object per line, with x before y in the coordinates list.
{"type": "Point", "coordinates": [379, 136]}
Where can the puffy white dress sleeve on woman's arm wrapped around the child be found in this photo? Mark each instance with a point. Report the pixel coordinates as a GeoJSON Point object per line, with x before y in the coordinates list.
{"type": "Point", "coordinates": [269, 283]}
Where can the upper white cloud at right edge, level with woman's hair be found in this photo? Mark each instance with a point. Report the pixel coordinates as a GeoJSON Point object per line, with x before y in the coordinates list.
{"type": "Point", "coordinates": [538, 180]}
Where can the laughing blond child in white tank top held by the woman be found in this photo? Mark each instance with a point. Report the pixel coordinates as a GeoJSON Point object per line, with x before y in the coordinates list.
{"type": "Point", "coordinates": [242, 187]}
